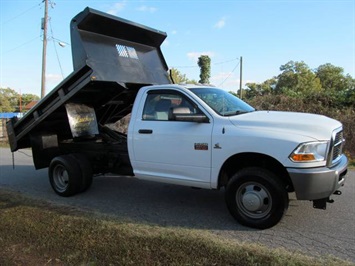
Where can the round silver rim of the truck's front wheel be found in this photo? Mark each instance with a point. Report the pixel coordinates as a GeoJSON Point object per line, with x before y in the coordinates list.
{"type": "Point", "coordinates": [254, 200]}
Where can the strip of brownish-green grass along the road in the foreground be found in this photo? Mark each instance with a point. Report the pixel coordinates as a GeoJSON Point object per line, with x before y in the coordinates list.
{"type": "Point", "coordinates": [34, 232]}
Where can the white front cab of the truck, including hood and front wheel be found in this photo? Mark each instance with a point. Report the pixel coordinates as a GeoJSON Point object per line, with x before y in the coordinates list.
{"type": "Point", "coordinates": [205, 137]}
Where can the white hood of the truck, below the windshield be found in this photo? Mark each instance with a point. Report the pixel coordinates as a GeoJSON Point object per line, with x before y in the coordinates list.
{"type": "Point", "coordinates": [314, 126]}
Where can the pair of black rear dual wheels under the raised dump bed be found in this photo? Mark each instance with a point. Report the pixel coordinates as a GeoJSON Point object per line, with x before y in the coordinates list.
{"type": "Point", "coordinates": [70, 174]}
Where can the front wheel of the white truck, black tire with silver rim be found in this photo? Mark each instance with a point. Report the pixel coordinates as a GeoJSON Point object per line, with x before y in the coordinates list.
{"type": "Point", "coordinates": [256, 198]}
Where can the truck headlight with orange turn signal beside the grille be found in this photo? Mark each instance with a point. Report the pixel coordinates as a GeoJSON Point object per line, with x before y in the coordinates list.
{"type": "Point", "coordinates": [310, 152]}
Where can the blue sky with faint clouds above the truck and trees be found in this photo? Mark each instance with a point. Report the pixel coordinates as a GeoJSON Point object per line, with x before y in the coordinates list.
{"type": "Point", "coordinates": [267, 34]}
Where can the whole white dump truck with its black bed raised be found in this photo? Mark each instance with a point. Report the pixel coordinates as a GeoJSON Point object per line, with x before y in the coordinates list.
{"type": "Point", "coordinates": [197, 136]}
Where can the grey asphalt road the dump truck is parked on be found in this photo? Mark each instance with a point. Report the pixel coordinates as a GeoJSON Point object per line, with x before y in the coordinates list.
{"type": "Point", "coordinates": [314, 232]}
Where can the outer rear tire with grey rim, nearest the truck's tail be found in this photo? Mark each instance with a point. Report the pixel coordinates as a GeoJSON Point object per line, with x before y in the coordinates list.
{"type": "Point", "coordinates": [65, 175]}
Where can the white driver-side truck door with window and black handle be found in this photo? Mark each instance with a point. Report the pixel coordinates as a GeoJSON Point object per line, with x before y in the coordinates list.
{"type": "Point", "coordinates": [163, 148]}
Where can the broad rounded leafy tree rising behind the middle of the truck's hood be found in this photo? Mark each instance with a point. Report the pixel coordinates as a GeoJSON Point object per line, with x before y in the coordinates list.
{"type": "Point", "coordinates": [297, 79]}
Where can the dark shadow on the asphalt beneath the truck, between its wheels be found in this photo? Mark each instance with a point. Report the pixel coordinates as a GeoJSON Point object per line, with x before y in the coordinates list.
{"type": "Point", "coordinates": [160, 204]}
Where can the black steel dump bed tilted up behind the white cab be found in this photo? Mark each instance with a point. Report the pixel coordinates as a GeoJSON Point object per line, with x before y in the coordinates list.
{"type": "Point", "coordinates": [113, 58]}
